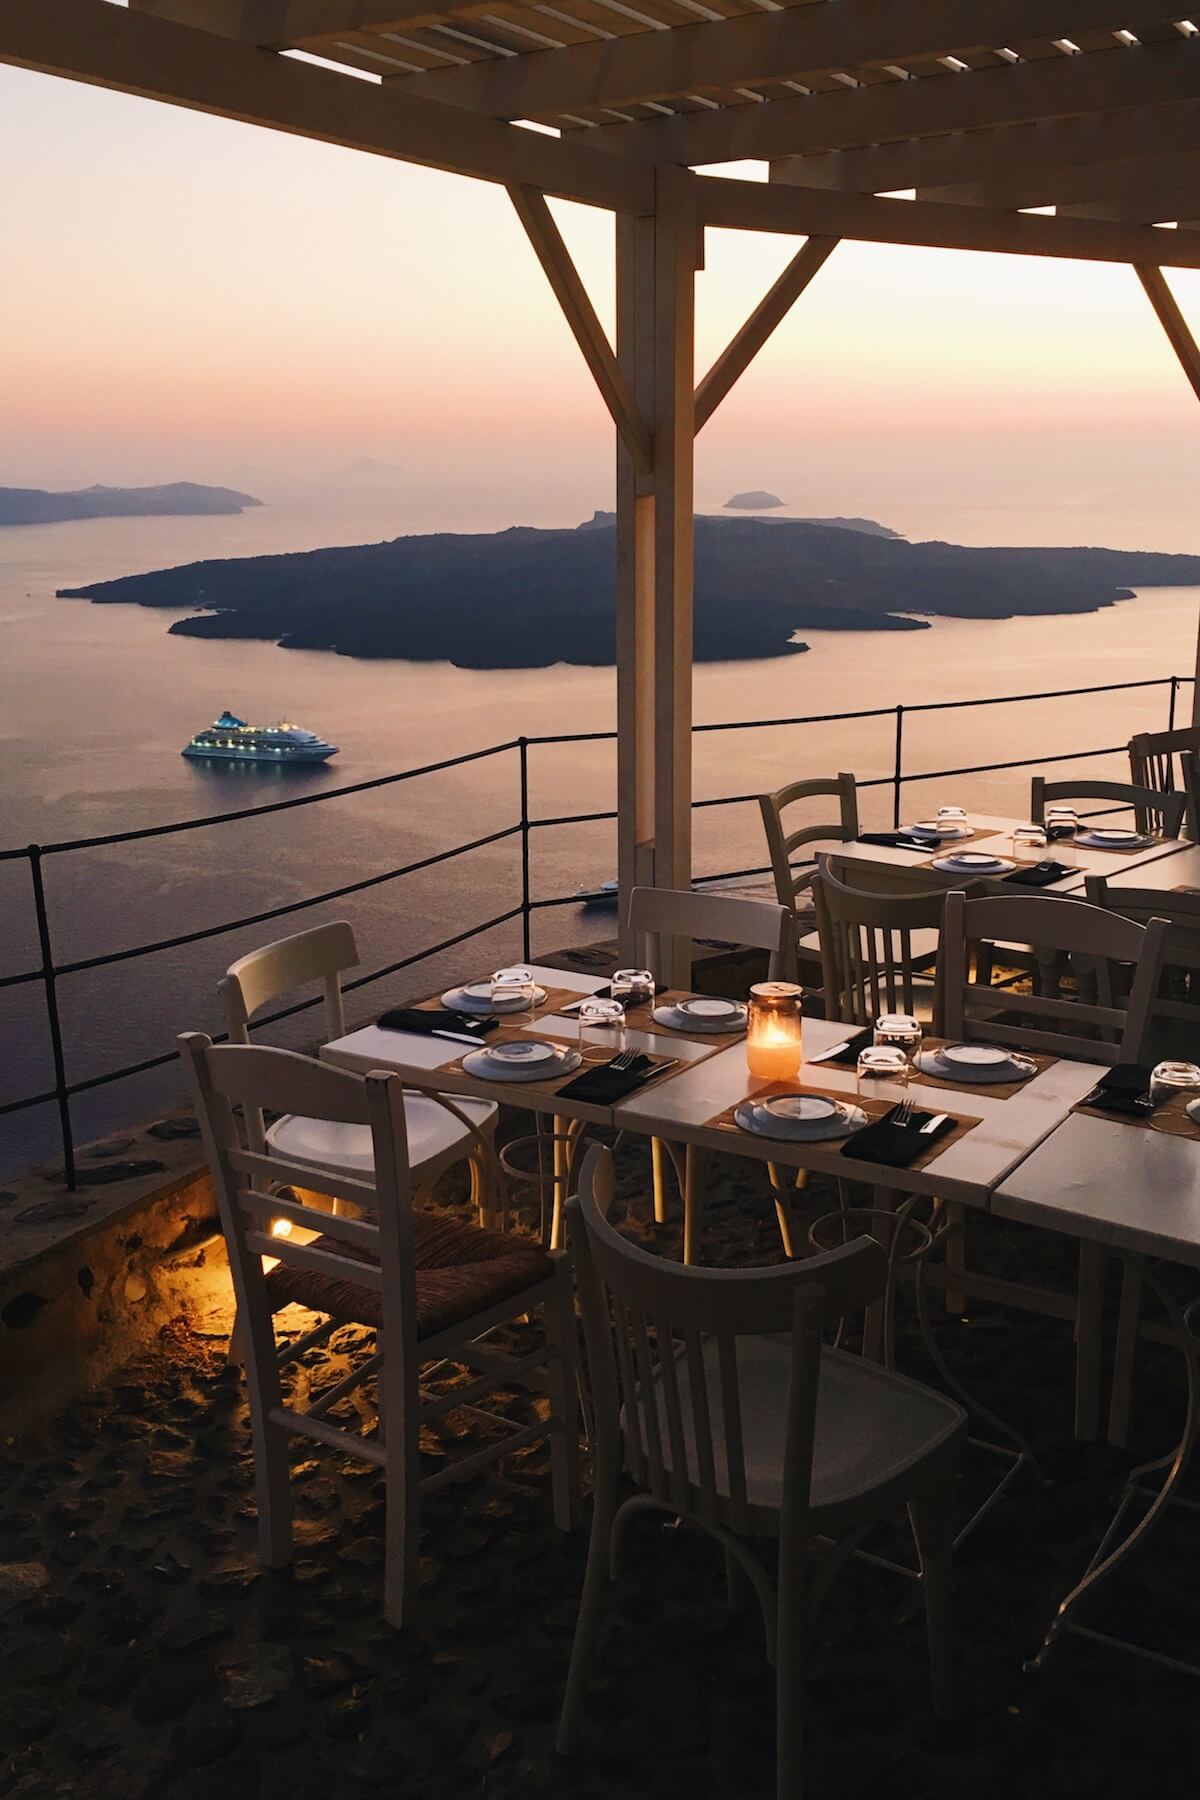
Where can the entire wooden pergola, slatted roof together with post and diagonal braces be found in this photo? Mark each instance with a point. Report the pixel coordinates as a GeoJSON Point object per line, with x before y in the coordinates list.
{"type": "Point", "coordinates": [891, 121]}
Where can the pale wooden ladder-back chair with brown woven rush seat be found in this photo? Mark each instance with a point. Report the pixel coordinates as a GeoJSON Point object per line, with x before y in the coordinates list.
{"type": "Point", "coordinates": [427, 1284]}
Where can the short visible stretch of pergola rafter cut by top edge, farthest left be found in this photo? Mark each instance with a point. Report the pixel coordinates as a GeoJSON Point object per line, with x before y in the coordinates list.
{"type": "Point", "coordinates": [287, 24]}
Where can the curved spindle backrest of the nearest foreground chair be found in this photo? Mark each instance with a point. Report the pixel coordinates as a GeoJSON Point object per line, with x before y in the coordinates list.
{"type": "Point", "coordinates": [694, 1425]}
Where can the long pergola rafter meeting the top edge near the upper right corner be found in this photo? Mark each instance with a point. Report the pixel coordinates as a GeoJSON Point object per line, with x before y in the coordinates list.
{"type": "Point", "coordinates": [762, 48]}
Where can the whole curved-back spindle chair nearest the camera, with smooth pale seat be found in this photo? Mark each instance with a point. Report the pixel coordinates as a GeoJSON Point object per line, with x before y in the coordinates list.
{"type": "Point", "coordinates": [719, 1401]}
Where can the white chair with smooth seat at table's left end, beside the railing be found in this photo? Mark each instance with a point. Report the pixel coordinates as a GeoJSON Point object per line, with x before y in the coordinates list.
{"type": "Point", "coordinates": [438, 1137]}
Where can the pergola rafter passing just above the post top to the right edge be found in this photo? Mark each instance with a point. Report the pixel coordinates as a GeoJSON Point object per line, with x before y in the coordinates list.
{"type": "Point", "coordinates": [1021, 94]}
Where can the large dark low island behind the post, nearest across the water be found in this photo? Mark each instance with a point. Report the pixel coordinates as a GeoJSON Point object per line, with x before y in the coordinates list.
{"type": "Point", "coordinates": [528, 598]}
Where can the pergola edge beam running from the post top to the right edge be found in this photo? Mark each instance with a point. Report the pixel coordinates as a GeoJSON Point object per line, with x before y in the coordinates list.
{"type": "Point", "coordinates": [801, 211]}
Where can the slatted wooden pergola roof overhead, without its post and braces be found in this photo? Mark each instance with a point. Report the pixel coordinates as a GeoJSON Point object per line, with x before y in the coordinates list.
{"type": "Point", "coordinates": [983, 107]}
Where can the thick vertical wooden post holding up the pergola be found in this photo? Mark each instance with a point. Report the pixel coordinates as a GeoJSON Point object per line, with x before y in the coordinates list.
{"type": "Point", "coordinates": [656, 350]}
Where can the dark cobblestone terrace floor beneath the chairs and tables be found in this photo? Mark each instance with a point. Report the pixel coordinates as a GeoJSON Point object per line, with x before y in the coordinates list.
{"type": "Point", "coordinates": [147, 1653]}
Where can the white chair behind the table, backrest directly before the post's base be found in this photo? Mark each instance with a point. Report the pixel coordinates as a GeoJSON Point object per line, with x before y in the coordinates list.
{"type": "Point", "coordinates": [758, 924]}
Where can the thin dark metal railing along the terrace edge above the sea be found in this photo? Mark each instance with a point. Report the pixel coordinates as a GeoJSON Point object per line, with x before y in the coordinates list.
{"type": "Point", "coordinates": [49, 971]}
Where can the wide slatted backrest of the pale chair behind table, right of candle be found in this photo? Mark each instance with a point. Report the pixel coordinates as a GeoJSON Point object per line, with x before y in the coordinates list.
{"type": "Point", "coordinates": [1053, 924]}
